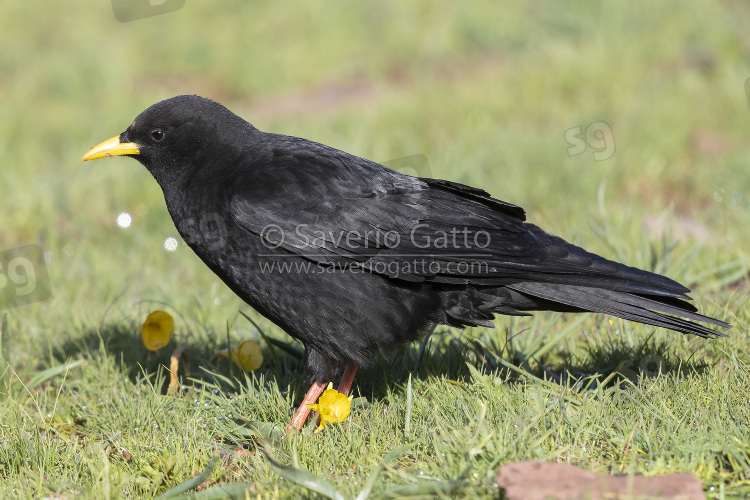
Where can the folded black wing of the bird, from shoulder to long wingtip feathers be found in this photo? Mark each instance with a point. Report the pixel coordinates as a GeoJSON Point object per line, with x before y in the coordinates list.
{"type": "Point", "coordinates": [333, 208]}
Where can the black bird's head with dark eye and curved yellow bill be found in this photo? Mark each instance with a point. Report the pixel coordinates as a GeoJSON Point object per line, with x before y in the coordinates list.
{"type": "Point", "coordinates": [175, 136]}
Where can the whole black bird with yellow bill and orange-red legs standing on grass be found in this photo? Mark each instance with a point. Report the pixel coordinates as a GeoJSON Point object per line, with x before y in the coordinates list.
{"type": "Point", "coordinates": [353, 258]}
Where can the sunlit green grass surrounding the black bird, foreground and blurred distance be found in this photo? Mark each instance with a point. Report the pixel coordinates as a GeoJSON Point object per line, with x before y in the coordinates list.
{"type": "Point", "coordinates": [486, 93]}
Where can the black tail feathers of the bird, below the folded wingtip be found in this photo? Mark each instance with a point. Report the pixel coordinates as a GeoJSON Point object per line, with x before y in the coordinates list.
{"type": "Point", "coordinates": [625, 305]}
